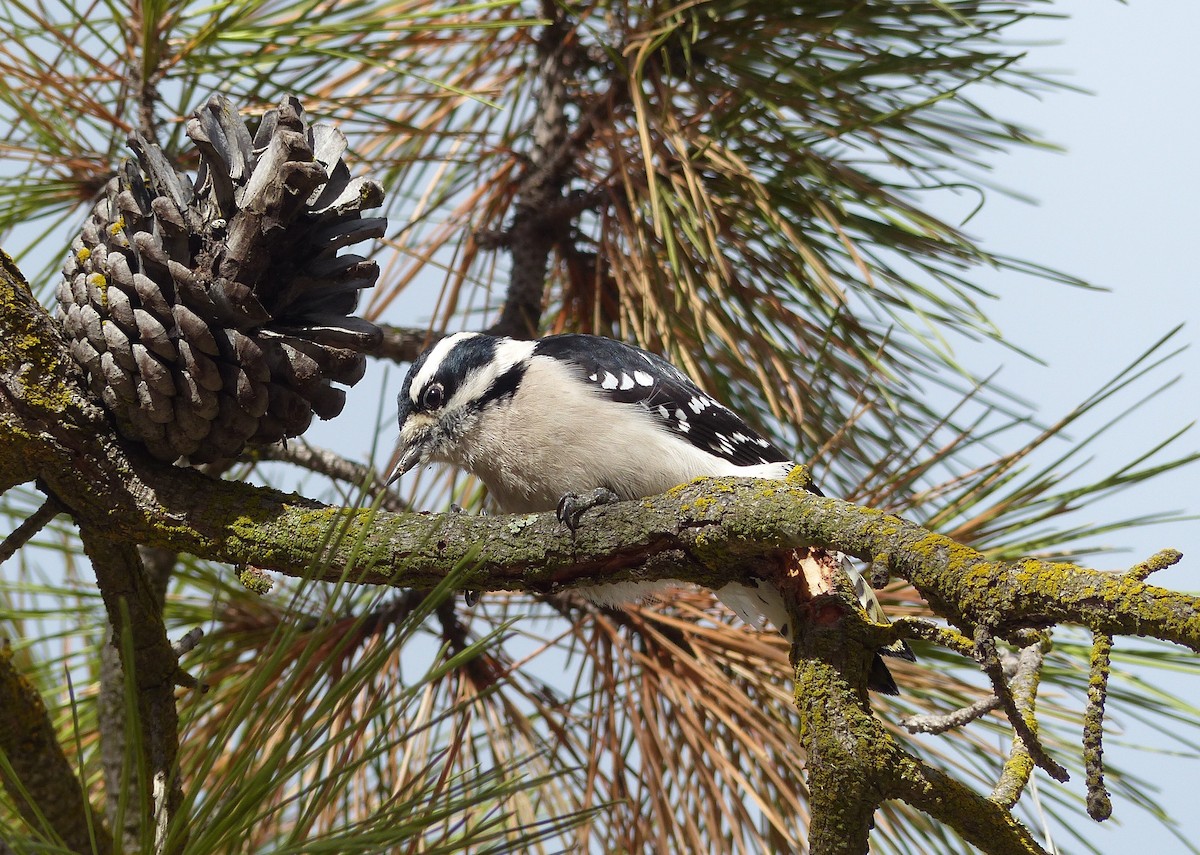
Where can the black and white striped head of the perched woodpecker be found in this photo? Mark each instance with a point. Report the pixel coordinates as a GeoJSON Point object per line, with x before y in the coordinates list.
{"type": "Point", "coordinates": [449, 388]}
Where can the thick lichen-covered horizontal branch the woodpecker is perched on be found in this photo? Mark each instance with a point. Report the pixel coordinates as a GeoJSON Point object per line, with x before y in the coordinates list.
{"type": "Point", "coordinates": [706, 533]}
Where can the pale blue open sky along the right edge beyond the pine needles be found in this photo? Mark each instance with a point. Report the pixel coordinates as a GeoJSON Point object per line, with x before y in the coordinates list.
{"type": "Point", "coordinates": [1118, 208]}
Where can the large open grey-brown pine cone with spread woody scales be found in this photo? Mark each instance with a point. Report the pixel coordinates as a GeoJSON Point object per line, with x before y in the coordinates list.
{"type": "Point", "coordinates": [218, 314]}
